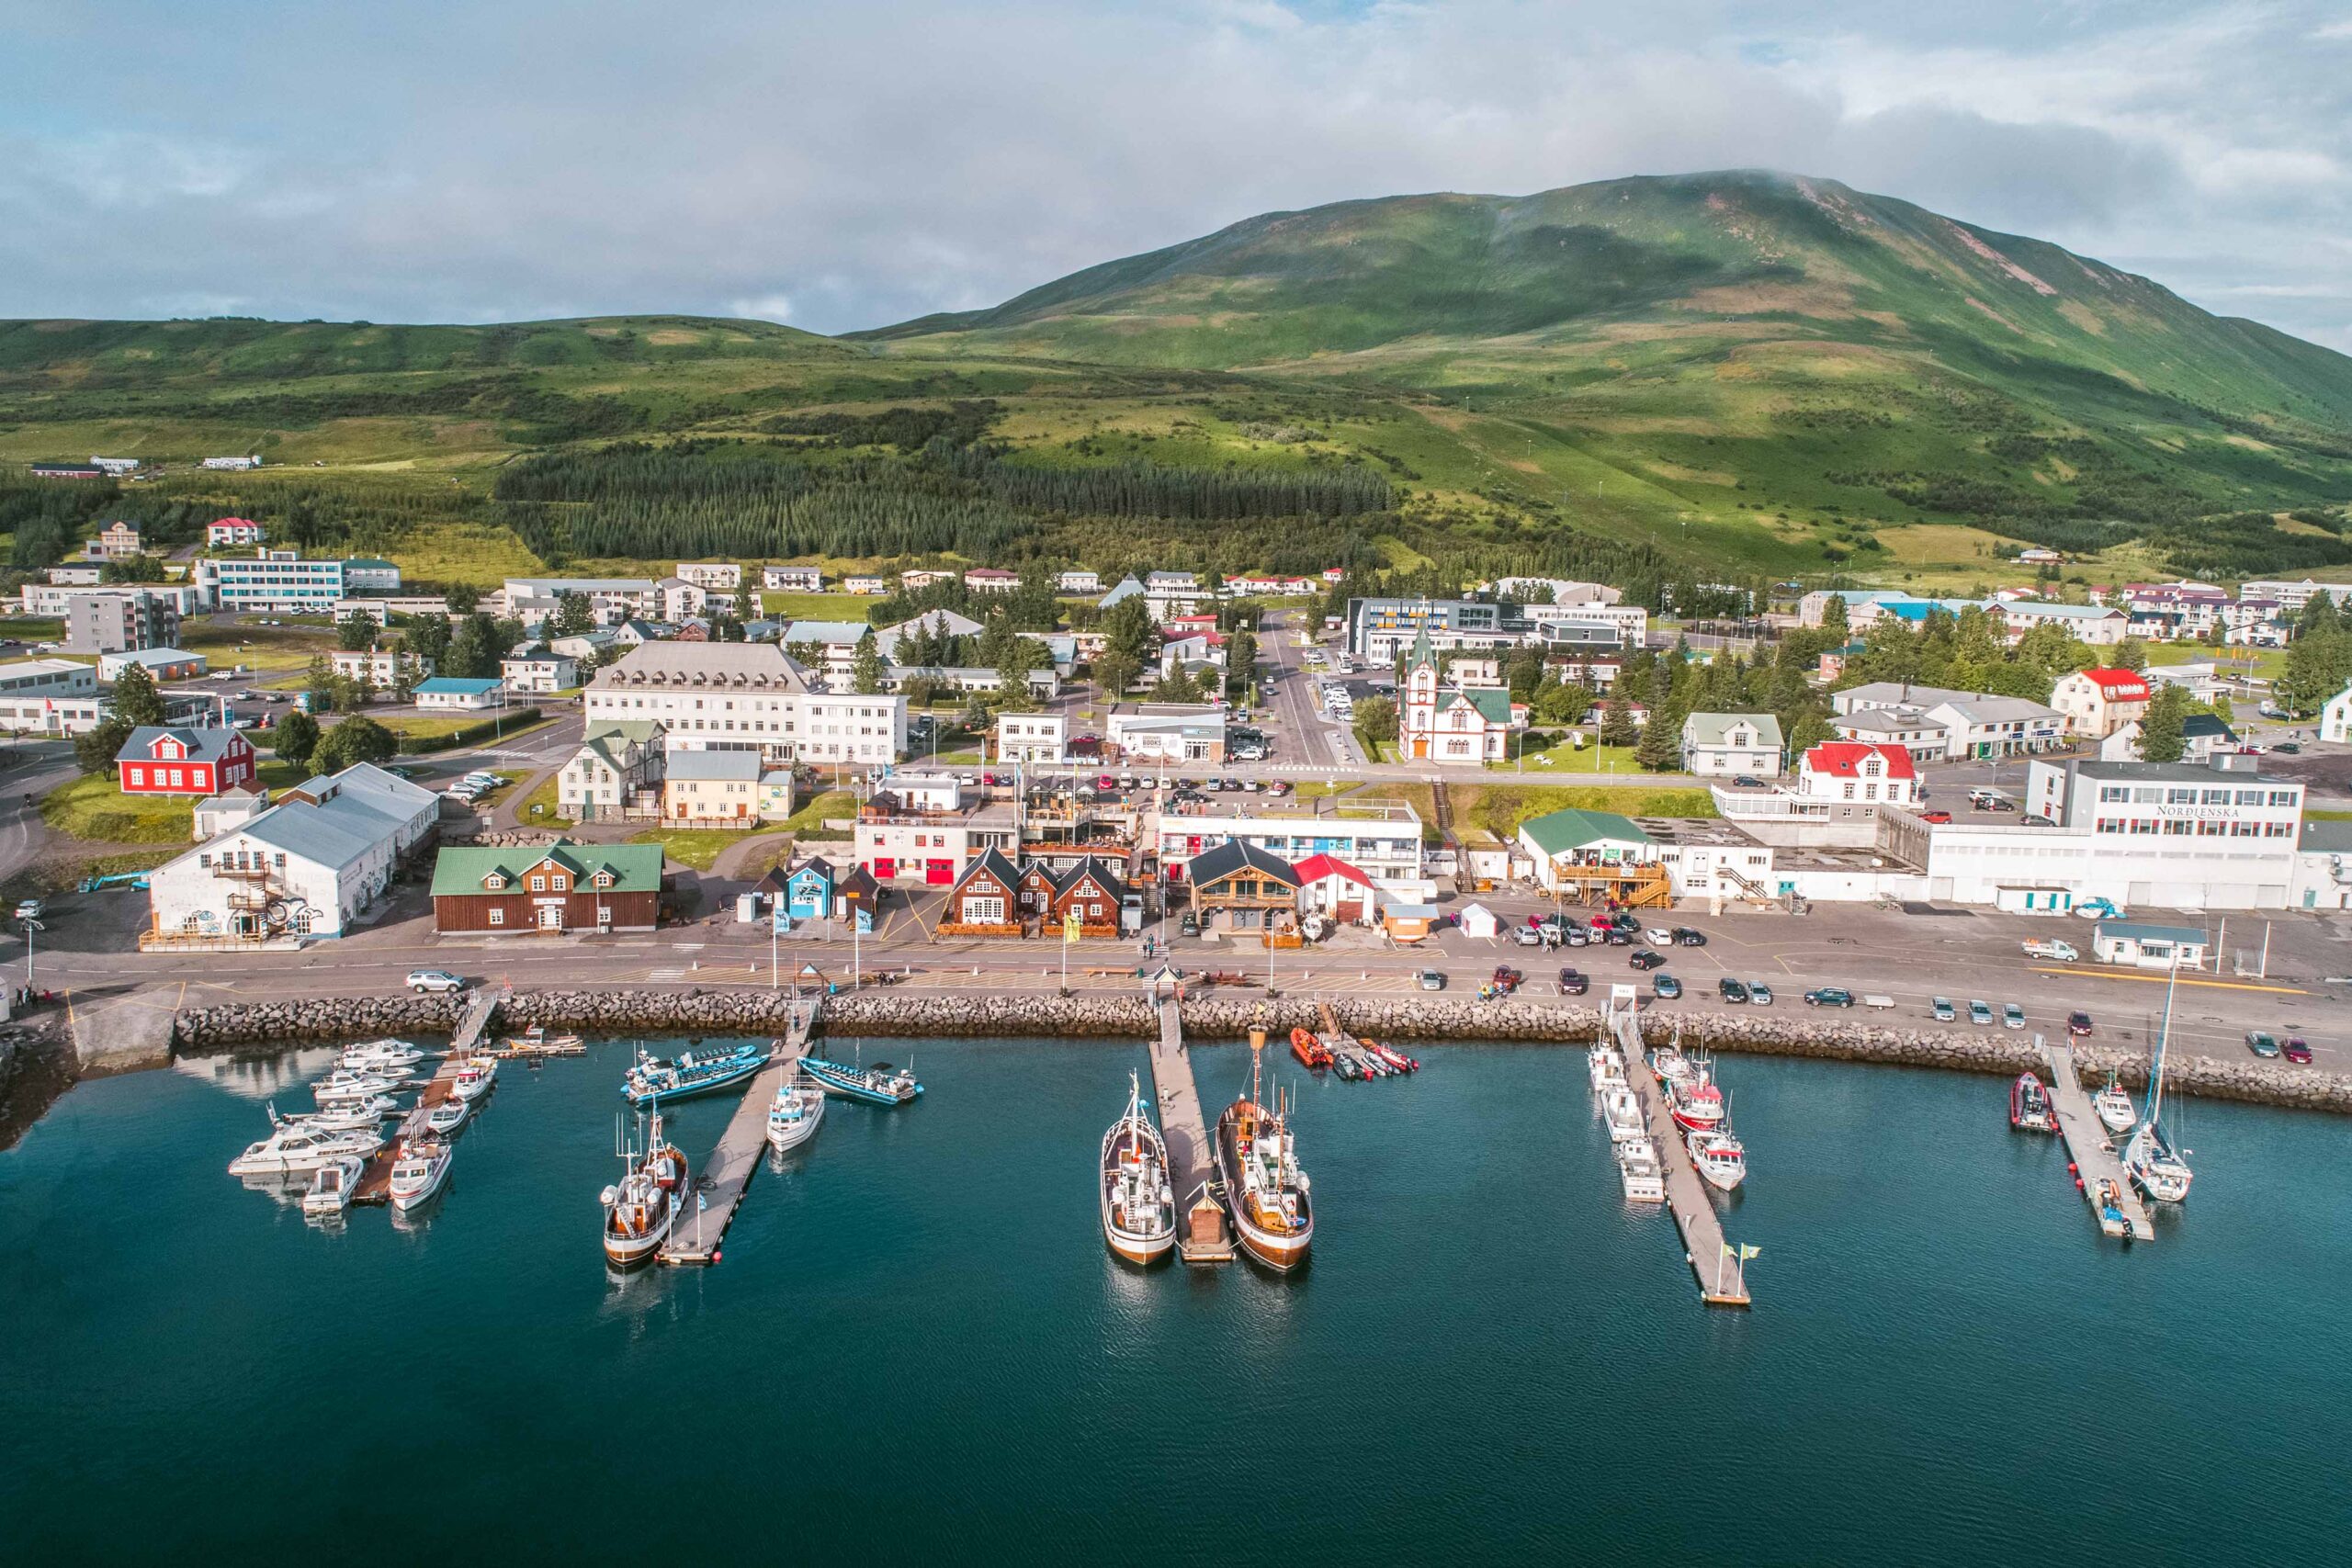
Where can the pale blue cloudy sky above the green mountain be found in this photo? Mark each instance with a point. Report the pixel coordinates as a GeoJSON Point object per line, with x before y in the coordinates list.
{"type": "Point", "coordinates": [853, 166]}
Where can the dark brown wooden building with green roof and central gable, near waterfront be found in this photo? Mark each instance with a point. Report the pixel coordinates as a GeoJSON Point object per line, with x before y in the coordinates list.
{"type": "Point", "coordinates": [549, 887]}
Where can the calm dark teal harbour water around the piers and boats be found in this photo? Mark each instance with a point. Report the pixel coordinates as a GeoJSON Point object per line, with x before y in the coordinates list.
{"type": "Point", "coordinates": [918, 1348]}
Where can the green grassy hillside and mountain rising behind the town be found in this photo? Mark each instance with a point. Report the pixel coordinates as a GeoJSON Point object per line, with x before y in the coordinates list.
{"type": "Point", "coordinates": [1709, 377]}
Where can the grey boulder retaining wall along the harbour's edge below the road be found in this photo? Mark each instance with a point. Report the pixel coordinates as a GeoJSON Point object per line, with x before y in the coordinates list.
{"type": "Point", "coordinates": [1229, 1017]}
